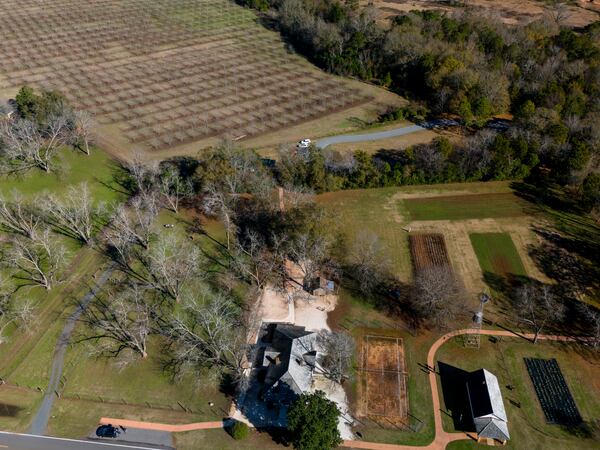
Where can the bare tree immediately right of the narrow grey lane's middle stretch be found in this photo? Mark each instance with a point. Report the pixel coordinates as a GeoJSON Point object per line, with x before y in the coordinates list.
{"type": "Point", "coordinates": [120, 321]}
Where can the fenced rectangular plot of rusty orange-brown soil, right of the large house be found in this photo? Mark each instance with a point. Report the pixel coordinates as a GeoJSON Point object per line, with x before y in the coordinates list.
{"type": "Point", "coordinates": [384, 395]}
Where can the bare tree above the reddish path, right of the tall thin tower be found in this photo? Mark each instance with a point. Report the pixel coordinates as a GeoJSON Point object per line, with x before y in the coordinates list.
{"type": "Point", "coordinates": [537, 307]}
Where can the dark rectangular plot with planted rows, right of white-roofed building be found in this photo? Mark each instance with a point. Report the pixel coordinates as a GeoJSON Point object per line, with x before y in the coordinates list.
{"type": "Point", "coordinates": [553, 392]}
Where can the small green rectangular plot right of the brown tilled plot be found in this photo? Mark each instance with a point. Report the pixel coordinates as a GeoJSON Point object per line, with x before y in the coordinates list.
{"type": "Point", "coordinates": [497, 254]}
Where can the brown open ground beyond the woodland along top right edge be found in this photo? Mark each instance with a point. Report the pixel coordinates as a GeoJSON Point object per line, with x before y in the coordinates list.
{"type": "Point", "coordinates": [577, 14]}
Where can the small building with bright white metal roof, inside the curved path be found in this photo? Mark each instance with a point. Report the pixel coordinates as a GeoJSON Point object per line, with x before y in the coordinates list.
{"type": "Point", "coordinates": [487, 407]}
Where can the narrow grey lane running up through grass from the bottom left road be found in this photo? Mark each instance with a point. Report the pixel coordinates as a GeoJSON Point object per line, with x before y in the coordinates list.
{"type": "Point", "coordinates": [40, 421]}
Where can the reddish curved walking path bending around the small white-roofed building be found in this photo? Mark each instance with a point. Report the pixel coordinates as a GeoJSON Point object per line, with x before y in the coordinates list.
{"type": "Point", "coordinates": [443, 438]}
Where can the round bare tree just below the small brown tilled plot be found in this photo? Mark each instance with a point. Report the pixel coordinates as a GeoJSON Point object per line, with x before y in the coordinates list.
{"type": "Point", "coordinates": [438, 295]}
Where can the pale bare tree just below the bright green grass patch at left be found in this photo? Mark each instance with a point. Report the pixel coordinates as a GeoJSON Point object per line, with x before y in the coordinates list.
{"type": "Point", "coordinates": [75, 214]}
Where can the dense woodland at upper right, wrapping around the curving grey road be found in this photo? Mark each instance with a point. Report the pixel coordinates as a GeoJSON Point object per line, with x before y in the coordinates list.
{"type": "Point", "coordinates": [472, 67]}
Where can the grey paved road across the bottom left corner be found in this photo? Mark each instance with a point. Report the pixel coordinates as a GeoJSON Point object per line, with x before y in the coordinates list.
{"type": "Point", "coordinates": [14, 441]}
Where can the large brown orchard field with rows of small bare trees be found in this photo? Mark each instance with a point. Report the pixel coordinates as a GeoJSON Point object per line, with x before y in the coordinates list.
{"type": "Point", "coordinates": [164, 73]}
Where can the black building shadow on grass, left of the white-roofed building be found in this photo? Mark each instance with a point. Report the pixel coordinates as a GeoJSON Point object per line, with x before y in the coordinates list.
{"type": "Point", "coordinates": [456, 399]}
